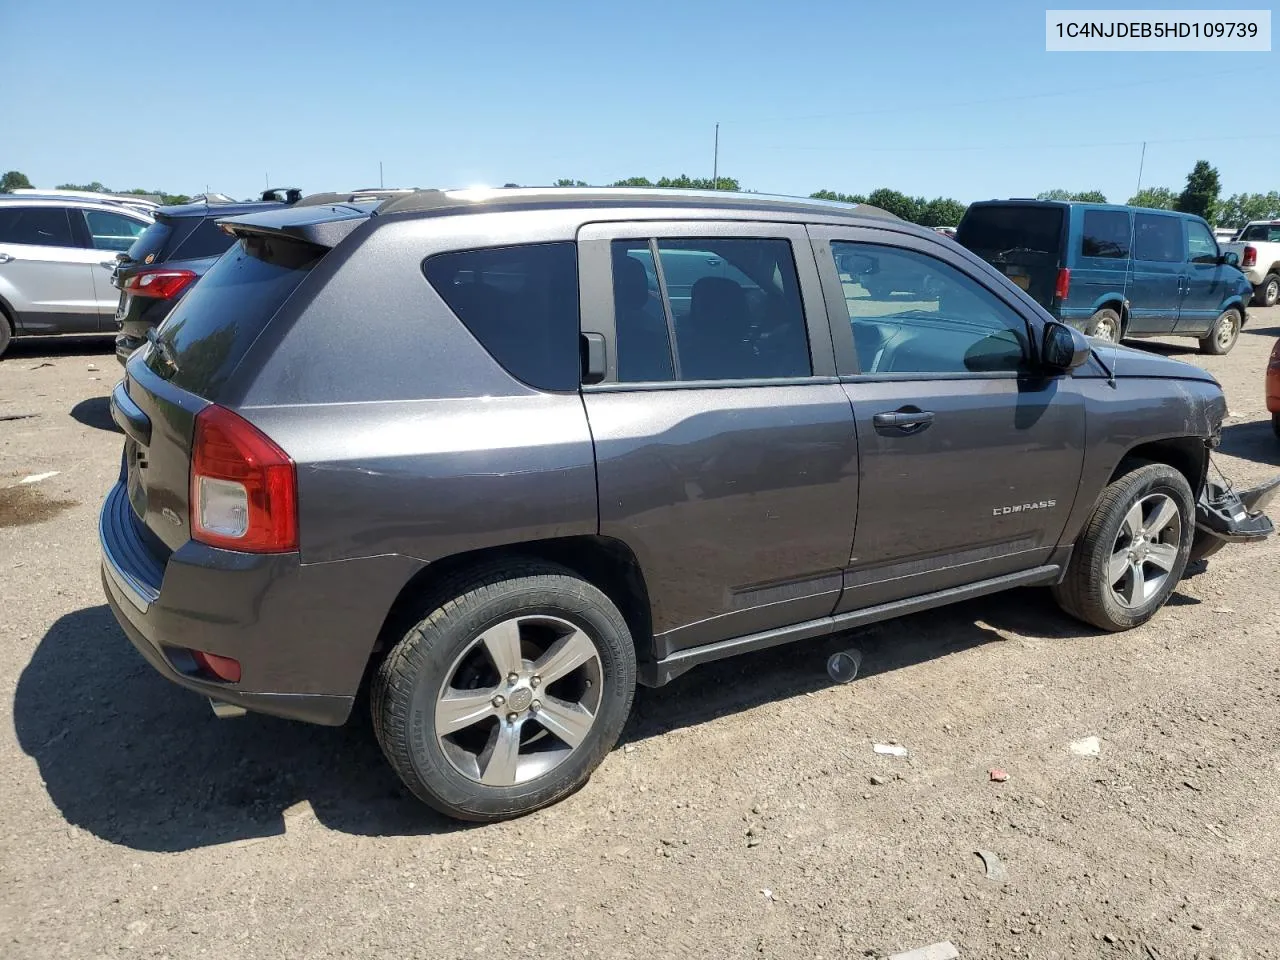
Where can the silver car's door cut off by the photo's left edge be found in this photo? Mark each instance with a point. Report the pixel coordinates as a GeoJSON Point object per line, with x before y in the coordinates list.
{"type": "Point", "coordinates": [44, 272]}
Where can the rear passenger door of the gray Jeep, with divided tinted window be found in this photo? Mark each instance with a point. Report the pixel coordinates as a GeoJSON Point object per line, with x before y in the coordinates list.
{"type": "Point", "coordinates": [726, 454]}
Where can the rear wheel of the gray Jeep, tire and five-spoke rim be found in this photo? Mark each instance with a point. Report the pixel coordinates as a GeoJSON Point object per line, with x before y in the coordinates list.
{"type": "Point", "coordinates": [508, 694]}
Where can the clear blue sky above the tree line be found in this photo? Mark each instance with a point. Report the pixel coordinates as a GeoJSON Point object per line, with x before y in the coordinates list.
{"type": "Point", "coordinates": [929, 98]}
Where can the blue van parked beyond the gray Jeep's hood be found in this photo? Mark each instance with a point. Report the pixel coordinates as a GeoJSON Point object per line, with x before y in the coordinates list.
{"type": "Point", "coordinates": [1116, 272]}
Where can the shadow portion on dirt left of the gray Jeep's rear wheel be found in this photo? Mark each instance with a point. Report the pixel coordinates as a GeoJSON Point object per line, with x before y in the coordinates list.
{"type": "Point", "coordinates": [140, 762]}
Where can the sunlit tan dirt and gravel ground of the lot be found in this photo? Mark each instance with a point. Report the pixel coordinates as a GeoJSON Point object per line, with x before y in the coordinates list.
{"type": "Point", "coordinates": [739, 819]}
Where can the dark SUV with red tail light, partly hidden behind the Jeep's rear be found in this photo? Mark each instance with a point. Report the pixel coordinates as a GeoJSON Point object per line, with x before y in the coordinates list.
{"type": "Point", "coordinates": [170, 257]}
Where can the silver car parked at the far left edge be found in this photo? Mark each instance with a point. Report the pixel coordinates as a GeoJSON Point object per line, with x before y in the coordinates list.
{"type": "Point", "coordinates": [57, 257]}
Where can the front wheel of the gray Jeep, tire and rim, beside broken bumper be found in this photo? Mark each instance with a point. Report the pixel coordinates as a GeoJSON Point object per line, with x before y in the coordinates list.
{"type": "Point", "coordinates": [1132, 552]}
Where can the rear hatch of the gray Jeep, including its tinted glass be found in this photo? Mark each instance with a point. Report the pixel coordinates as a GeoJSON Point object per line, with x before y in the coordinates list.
{"type": "Point", "coordinates": [189, 367]}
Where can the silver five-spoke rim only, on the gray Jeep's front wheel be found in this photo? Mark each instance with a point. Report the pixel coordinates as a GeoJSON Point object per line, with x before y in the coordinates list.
{"type": "Point", "coordinates": [1146, 550]}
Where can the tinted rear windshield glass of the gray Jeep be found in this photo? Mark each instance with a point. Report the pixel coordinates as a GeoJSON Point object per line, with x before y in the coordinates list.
{"type": "Point", "coordinates": [213, 327]}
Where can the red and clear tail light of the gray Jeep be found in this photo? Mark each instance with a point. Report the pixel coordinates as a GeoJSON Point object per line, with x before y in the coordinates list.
{"type": "Point", "coordinates": [244, 488]}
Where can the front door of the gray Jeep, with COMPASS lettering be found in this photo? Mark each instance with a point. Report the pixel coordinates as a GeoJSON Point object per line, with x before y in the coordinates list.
{"type": "Point", "coordinates": [971, 459]}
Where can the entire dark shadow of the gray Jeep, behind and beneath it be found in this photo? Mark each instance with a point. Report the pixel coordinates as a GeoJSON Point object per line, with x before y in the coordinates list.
{"type": "Point", "coordinates": [143, 764]}
